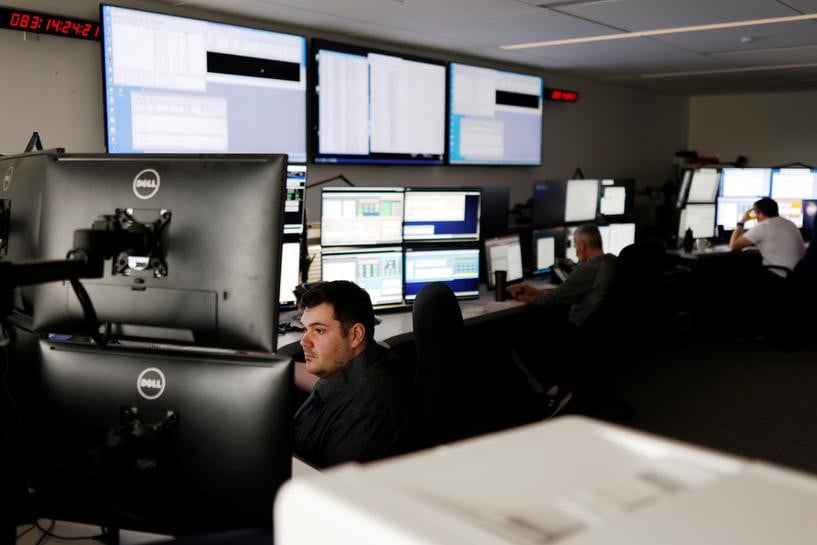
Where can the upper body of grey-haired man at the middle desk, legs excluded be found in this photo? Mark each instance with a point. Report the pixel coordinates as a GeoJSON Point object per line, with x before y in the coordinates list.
{"type": "Point", "coordinates": [584, 289]}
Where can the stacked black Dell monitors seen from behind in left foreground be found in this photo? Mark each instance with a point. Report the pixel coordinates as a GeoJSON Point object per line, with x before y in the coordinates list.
{"type": "Point", "coordinates": [182, 252]}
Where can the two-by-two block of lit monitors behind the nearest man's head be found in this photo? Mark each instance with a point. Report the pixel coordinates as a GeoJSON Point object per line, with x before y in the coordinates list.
{"type": "Point", "coordinates": [394, 241]}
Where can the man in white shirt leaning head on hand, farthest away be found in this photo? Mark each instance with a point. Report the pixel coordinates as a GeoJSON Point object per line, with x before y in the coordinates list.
{"type": "Point", "coordinates": [778, 240]}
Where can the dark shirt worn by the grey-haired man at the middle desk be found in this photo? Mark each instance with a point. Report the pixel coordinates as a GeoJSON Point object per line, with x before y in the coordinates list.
{"type": "Point", "coordinates": [584, 289]}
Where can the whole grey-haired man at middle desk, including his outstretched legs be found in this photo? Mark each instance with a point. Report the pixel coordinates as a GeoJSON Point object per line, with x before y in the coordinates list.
{"type": "Point", "coordinates": [568, 309]}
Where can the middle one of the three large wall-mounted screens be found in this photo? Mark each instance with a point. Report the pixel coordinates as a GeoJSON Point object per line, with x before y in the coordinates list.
{"type": "Point", "coordinates": [377, 106]}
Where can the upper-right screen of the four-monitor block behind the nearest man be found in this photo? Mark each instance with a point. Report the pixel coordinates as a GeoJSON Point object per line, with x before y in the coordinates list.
{"type": "Point", "coordinates": [441, 214]}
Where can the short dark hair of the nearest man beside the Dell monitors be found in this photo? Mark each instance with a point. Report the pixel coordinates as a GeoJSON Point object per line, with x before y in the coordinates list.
{"type": "Point", "coordinates": [350, 303]}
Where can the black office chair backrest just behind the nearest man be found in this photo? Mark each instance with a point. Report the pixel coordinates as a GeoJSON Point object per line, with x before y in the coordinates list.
{"type": "Point", "coordinates": [438, 337]}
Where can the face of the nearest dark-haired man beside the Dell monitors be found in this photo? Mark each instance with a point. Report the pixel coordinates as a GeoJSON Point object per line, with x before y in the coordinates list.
{"type": "Point", "coordinates": [326, 348]}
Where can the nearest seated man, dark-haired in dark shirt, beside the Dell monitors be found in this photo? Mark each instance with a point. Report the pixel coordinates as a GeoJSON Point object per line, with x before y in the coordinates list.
{"type": "Point", "coordinates": [359, 407]}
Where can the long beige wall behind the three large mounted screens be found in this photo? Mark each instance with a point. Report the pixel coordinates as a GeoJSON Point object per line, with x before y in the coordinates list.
{"type": "Point", "coordinates": [54, 86]}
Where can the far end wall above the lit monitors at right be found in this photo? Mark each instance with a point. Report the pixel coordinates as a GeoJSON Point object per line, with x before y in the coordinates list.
{"type": "Point", "coordinates": [769, 129]}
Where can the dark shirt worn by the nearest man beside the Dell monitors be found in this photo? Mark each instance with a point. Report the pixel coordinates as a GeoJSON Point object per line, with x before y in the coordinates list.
{"type": "Point", "coordinates": [360, 413]}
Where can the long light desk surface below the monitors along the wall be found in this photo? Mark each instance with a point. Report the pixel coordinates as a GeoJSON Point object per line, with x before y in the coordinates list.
{"type": "Point", "coordinates": [397, 326]}
